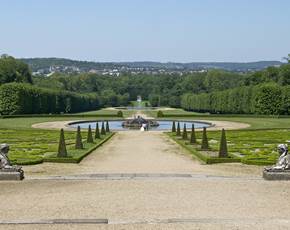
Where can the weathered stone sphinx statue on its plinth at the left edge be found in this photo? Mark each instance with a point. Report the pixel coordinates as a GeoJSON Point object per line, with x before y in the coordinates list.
{"type": "Point", "coordinates": [5, 164]}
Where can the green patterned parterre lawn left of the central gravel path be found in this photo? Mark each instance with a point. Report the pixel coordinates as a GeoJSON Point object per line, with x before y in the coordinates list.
{"type": "Point", "coordinates": [32, 146]}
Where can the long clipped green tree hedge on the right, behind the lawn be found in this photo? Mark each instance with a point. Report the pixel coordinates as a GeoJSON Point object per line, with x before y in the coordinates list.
{"type": "Point", "coordinates": [266, 99]}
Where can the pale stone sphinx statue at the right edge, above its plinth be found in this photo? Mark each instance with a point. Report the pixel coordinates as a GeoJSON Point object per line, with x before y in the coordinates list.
{"type": "Point", "coordinates": [283, 163]}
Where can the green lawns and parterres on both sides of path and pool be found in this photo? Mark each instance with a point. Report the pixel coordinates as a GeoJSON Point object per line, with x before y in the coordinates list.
{"type": "Point", "coordinates": [254, 145]}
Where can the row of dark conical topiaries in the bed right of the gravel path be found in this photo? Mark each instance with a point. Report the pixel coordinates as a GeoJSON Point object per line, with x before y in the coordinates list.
{"type": "Point", "coordinates": [223, 155]}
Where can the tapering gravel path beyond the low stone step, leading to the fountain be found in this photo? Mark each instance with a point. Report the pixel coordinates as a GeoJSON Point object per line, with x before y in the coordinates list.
{"type": "Point", "coordinates": [138, 152]}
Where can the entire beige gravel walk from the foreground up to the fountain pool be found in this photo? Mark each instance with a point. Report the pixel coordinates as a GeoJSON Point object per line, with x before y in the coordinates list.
{"type": "Point", "coordinates": [221, 196]}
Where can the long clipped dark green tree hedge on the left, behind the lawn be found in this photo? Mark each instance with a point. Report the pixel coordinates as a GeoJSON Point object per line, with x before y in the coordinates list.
{"type": "Point", "coordinates": [18, 98]}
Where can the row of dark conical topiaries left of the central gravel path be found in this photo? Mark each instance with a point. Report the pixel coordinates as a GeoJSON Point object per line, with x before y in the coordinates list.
{"type": "Point", "coordinates": [62, 151]}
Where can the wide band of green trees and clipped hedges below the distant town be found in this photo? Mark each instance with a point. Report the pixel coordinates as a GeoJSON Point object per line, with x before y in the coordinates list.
{"type": "Point", "coordinates": [216, 91]}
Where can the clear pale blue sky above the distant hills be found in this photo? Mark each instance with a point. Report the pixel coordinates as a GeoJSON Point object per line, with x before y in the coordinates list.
{"type": "Point", "coordinates": [151, 30]}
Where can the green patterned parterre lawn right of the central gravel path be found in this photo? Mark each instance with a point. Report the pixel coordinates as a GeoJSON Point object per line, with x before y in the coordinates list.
{"type": "Point", "coordinates": [256, 147]}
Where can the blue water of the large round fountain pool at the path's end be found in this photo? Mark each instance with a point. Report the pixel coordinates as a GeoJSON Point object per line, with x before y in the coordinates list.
{"type": "Point", "coordinates": [163, 125]}
